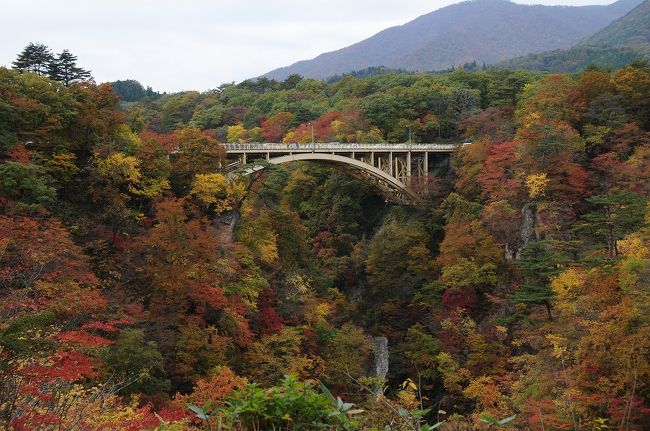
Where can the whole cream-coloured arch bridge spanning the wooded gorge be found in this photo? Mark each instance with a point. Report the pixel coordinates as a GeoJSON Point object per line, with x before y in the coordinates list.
{"type": "Point", "coordinates": [393, 169]}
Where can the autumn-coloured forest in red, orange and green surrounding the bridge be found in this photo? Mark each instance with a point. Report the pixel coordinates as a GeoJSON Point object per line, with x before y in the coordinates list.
{"type": "Point", "coordinates": [516, 295]}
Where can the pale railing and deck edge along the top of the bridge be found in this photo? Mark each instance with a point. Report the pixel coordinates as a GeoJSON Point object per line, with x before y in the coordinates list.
{"type": "Point", "coordinates": [338, 146]}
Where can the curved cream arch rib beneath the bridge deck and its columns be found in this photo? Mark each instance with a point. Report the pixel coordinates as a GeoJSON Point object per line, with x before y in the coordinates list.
{"type": "Point", "coordinates": [390, 187]}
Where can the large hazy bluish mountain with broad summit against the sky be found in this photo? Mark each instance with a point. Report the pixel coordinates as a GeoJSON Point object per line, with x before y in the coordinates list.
{"type": "Point", "coordinates": [485, 31]}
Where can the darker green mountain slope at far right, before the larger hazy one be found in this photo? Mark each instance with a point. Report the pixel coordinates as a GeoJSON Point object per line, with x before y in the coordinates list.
{"type": "Point", "coordinates": [623, 41]}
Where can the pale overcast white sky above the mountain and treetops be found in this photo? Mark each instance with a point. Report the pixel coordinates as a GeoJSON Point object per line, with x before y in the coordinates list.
{"type": "Point", "coordinates": [200, 44]}
